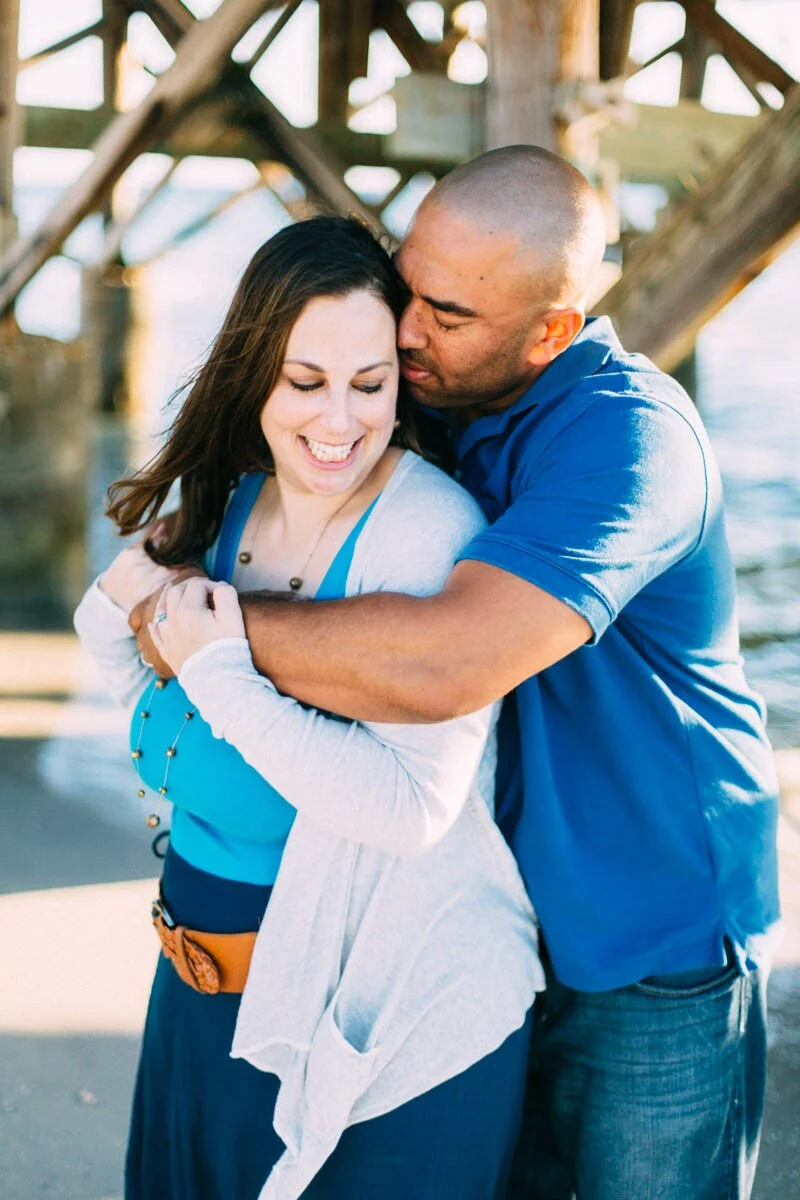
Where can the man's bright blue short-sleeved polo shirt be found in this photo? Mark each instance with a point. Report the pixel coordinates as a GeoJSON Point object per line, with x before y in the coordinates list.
{"type": "Point", "coordinates": [647, 824]}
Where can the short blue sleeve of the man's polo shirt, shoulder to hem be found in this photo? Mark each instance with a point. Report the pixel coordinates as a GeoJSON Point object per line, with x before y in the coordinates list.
{"type": "Point", "coordinates": [616, 497]}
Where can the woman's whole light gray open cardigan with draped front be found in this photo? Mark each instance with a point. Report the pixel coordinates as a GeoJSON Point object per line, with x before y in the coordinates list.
{"type": "Point", "coordinates": [399, 946]}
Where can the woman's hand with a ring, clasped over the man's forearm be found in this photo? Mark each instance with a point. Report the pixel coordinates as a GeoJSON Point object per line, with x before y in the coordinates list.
{"type": "Point", "coordinates": [193, 615]}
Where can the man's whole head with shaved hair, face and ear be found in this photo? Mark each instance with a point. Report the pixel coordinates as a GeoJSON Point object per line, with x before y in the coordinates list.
{"type": "Point", "coordinates": [498, 263]}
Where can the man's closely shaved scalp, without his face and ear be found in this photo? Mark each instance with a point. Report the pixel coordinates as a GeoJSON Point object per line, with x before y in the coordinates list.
{"type": "Point", "coordinates": [542, 202]}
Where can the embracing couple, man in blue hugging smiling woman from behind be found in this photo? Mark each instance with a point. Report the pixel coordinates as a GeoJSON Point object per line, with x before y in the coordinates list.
{"type": "Point", "coordinates": [417, 947]}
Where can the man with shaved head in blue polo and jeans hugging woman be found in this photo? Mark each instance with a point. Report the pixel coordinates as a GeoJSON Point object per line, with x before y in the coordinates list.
{"type": "Point", "coordinates": [604, 593]}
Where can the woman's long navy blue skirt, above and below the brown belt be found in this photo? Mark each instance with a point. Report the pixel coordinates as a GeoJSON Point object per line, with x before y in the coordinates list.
{"type": "Point", "coordinates": [202, 1121]}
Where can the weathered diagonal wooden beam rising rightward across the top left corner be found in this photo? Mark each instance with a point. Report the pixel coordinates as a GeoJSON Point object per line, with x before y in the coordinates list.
{"type": "Point", "coordinates": [199, 63]}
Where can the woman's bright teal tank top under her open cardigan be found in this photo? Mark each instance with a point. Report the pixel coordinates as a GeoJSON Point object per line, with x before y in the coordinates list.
{"type": "Point", "coordinates": [226, 819]}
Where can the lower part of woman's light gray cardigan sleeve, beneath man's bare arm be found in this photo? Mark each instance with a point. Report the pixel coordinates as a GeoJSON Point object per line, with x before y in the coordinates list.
{"type": "Point", "coordinates": [396, 788]}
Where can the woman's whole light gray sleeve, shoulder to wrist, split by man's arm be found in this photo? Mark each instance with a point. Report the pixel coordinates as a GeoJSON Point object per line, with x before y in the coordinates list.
{"type": "Point", "coordinates": [398, 788]}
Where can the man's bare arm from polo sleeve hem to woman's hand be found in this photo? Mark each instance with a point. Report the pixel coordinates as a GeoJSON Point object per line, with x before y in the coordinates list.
{"type": "Point", "coordinates": [394, 658]}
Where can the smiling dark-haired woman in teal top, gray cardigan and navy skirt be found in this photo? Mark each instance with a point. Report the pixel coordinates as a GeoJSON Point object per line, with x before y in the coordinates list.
{"type": "Point", "coordinates": [347, 879]}
